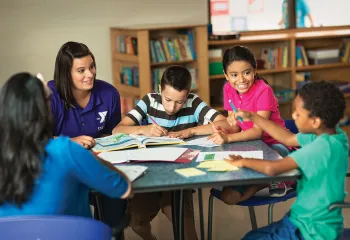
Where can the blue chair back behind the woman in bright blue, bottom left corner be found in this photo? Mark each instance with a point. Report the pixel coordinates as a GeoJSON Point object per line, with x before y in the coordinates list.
{"type": "Point", "coordinates": [53, 228]}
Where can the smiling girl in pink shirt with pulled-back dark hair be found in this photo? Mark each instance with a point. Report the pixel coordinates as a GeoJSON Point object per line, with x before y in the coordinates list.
{"type": "Point", "coordinates": [247, 91]}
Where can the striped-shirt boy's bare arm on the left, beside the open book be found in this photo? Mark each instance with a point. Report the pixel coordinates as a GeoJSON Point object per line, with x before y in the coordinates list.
{"type": "Point", "coordinates": [128, 126]}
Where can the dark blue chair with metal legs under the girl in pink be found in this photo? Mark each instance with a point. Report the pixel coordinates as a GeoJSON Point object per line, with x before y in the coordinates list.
{"type": "Point", "coordinates": [255, 200]}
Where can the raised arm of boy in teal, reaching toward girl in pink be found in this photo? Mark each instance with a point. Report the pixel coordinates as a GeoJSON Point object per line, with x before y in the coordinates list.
{"type": "Point", "coordinates": [279, 133]}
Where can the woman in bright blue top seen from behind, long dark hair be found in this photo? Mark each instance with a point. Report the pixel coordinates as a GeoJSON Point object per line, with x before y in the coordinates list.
{"type": "Point", "coordinates": [40, 175]}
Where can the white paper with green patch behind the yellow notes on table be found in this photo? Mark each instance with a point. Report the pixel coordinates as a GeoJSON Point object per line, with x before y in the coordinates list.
{"type": "Point", "coordinates": [202, 156]}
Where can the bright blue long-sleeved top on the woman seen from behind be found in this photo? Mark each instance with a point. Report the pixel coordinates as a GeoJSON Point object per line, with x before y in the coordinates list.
{"type": "Point", "coordinates": [69, 171]}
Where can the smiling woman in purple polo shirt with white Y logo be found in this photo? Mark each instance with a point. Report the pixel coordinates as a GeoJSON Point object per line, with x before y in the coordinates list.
{"type": "Point", "coordinates": [84, 108]}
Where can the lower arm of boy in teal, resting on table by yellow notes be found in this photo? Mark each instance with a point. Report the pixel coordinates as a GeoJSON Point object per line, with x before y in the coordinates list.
{"type": "Point", "coordinates": [267, 167]}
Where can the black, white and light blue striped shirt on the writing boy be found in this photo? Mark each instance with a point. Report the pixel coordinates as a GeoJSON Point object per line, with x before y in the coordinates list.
{"type": "Point", "coordinates": [193, 113]}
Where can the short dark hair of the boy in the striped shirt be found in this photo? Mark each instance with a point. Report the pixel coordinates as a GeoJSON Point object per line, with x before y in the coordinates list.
{"type": "Point", "coordinates": [177, 77]}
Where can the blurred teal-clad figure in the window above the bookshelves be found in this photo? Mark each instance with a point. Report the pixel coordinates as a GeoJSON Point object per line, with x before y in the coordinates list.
{"type": "Point", "coordinates": [301, 11]}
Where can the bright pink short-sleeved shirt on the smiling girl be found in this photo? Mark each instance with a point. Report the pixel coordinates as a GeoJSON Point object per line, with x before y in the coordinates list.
{"type": "Point", "coordinates": [260, 97]}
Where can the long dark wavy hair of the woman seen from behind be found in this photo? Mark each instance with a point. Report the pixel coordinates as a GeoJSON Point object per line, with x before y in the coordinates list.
{"type": "Point", "coordinates": [25, 127]}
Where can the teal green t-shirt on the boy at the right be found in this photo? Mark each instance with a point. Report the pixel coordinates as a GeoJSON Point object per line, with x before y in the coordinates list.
{"type": "Point", "coordinates": [323, 162]}
